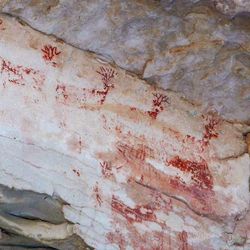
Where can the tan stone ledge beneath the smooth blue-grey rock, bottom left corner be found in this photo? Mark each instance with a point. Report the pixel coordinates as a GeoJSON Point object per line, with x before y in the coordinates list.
{"type": "Point", "coordinates": [50, 235]}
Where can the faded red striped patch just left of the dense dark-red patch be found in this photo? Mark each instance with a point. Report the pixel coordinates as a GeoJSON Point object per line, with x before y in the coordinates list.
{"type": "Point", "coordinates": [130, 152]}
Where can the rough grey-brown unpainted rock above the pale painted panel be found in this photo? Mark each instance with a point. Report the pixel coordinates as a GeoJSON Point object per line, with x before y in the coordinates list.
{"type": "Point", "coordinates": [182, 45]}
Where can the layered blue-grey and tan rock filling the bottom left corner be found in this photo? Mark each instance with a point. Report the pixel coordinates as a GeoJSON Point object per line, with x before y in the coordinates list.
{"type": "Point", "coordinates": [24, 212]}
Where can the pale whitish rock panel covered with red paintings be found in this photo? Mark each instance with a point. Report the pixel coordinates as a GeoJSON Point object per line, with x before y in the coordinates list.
{"type": "Point", "coordinates": [137, 167]}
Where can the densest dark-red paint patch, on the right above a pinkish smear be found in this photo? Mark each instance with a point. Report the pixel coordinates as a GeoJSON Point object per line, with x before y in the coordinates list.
{"type": "Point", "coordinates": [199, 170]}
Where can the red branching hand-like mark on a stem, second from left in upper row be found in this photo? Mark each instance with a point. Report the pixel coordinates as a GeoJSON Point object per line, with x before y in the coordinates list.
{"type": "Point", "coordinates": [107, 75]}
